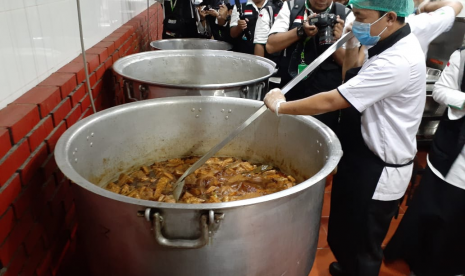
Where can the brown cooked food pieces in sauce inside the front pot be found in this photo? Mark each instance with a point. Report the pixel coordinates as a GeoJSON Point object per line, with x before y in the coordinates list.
{"type": "Point", "coordinates": [218, 180]}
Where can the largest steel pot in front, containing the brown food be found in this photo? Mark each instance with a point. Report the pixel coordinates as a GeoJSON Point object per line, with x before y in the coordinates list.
{"type": "Point", "coordinates": [271, 235]}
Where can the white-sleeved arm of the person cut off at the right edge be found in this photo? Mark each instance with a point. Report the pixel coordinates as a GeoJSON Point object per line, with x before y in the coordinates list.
{"type": "Point", "coordinates": [446, 90]}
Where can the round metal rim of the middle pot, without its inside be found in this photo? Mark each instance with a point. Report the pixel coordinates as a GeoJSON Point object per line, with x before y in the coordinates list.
{"type": "Point", "coordinates": [121, 63]}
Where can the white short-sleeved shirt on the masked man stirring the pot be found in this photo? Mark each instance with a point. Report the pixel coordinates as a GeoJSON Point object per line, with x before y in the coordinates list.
{"type": "Point", "coordinates": [390, 90]}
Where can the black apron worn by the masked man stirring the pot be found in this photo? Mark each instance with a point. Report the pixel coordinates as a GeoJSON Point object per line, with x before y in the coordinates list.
{"type": "Point", "coordinates": [357, 223]}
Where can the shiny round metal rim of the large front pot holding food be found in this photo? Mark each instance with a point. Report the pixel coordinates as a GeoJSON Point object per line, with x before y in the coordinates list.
{"type": "Point", "coordinates": [64, 144]}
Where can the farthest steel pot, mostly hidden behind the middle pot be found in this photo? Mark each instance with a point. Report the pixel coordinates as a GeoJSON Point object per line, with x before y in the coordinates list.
{"type": "Point", "coordinates": [190, 44]}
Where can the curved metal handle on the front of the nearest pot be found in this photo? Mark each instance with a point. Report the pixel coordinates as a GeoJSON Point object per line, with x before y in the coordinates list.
{"type": "Point", "coordinates": [208, 224]}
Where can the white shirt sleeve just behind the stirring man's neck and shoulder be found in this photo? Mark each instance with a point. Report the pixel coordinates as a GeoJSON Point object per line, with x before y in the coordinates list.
{"type": "Point", "coordinates": [428, 26]}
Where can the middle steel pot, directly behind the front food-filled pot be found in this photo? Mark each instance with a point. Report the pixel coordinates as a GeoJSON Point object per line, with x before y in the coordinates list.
{"type": "Point", "coordinates": [158, 74]}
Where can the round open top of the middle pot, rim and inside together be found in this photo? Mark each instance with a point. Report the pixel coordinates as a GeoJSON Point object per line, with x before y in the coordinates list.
{"type": "Point", "coordinates": [195, 69]}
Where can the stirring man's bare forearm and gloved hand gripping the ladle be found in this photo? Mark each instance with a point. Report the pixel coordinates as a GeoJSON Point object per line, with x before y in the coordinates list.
{"type": "Point", "coordinates": [313, 105]}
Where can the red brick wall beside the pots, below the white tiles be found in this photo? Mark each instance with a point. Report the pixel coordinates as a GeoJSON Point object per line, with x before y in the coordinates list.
{"type": "Point", "coordinates": [37, 212]}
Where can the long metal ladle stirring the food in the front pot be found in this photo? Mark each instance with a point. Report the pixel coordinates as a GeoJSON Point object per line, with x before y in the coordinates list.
{"type": "Point", "coordinates": [178, 188]}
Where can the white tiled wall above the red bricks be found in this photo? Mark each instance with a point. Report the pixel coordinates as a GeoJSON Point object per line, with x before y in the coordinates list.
{"type": "Point", "coordinates": [37, 37]}
